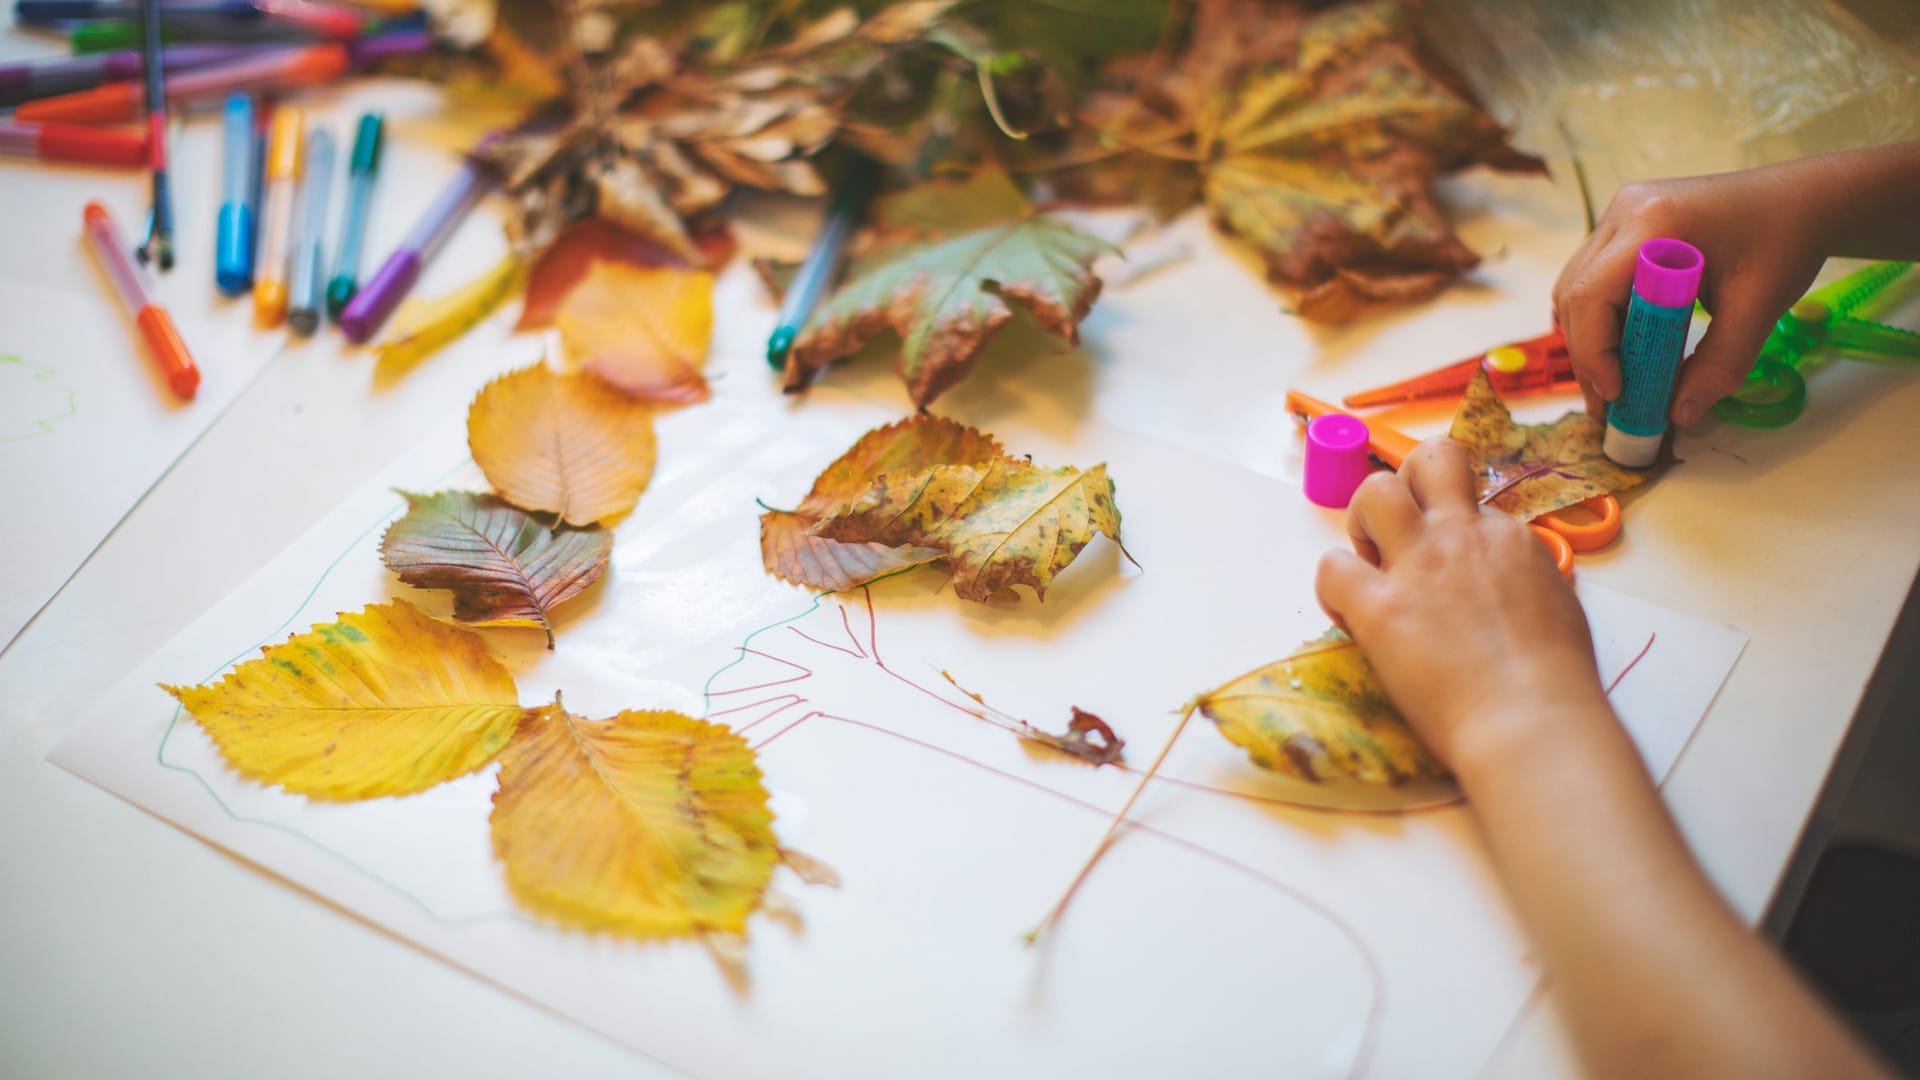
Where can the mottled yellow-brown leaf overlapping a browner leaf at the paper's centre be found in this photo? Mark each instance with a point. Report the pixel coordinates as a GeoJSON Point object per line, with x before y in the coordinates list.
{"type": "Point", "coordinates": [997, 526]}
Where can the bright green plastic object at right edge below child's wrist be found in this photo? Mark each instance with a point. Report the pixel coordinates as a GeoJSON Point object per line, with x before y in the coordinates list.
{"type": "Point", "coordinates": [1831, 320]}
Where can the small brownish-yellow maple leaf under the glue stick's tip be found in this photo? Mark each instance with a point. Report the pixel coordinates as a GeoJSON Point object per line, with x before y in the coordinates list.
{"type": "Point", "coordinates": [1533, 470]}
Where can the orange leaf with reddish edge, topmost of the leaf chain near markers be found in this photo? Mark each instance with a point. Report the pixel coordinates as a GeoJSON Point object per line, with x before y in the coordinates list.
{"type": "Point", "coordinates": [642, 330]}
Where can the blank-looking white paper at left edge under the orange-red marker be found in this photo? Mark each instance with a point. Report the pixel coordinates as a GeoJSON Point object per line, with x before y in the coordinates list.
{"type": "Point", "coordinates": [87, 426]}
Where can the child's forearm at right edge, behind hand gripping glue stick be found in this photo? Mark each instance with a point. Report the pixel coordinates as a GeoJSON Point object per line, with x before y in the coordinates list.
{"type": "Point", "coordinates": [1867, 201]}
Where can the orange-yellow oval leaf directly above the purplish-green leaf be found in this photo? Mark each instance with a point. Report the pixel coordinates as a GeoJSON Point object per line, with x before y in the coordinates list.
{"type": "Point", "coordinates": [565, 445]}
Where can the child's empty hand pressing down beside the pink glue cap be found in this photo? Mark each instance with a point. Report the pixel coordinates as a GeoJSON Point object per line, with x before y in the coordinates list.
{"type": "Point", "coordinates": [1462, 614]}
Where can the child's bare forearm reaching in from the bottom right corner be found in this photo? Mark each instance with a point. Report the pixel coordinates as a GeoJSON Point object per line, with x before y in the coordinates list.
{"type": "Point", "coordinates": [1654, 973]}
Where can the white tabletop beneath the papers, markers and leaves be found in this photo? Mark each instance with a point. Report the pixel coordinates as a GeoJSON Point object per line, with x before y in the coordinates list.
{"type": "Point", "coordinates": [132, 948]}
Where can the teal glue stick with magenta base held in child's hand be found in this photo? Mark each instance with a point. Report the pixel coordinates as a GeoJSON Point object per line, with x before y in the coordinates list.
{"type": "Point", "coordinates": [1666, 285]}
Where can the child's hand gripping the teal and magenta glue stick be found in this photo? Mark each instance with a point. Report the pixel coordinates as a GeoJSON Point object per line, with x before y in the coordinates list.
{"type": "Point", "coordinates": [1764, 249]}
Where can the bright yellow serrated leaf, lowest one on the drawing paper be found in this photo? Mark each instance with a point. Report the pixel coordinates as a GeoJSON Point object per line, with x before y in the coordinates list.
{"type": "Point", "coordinates": [646, 825]}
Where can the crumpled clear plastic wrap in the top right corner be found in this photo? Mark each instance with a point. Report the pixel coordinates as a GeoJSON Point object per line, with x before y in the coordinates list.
{"type": "Point", "coordinates": [1639, 89]}
